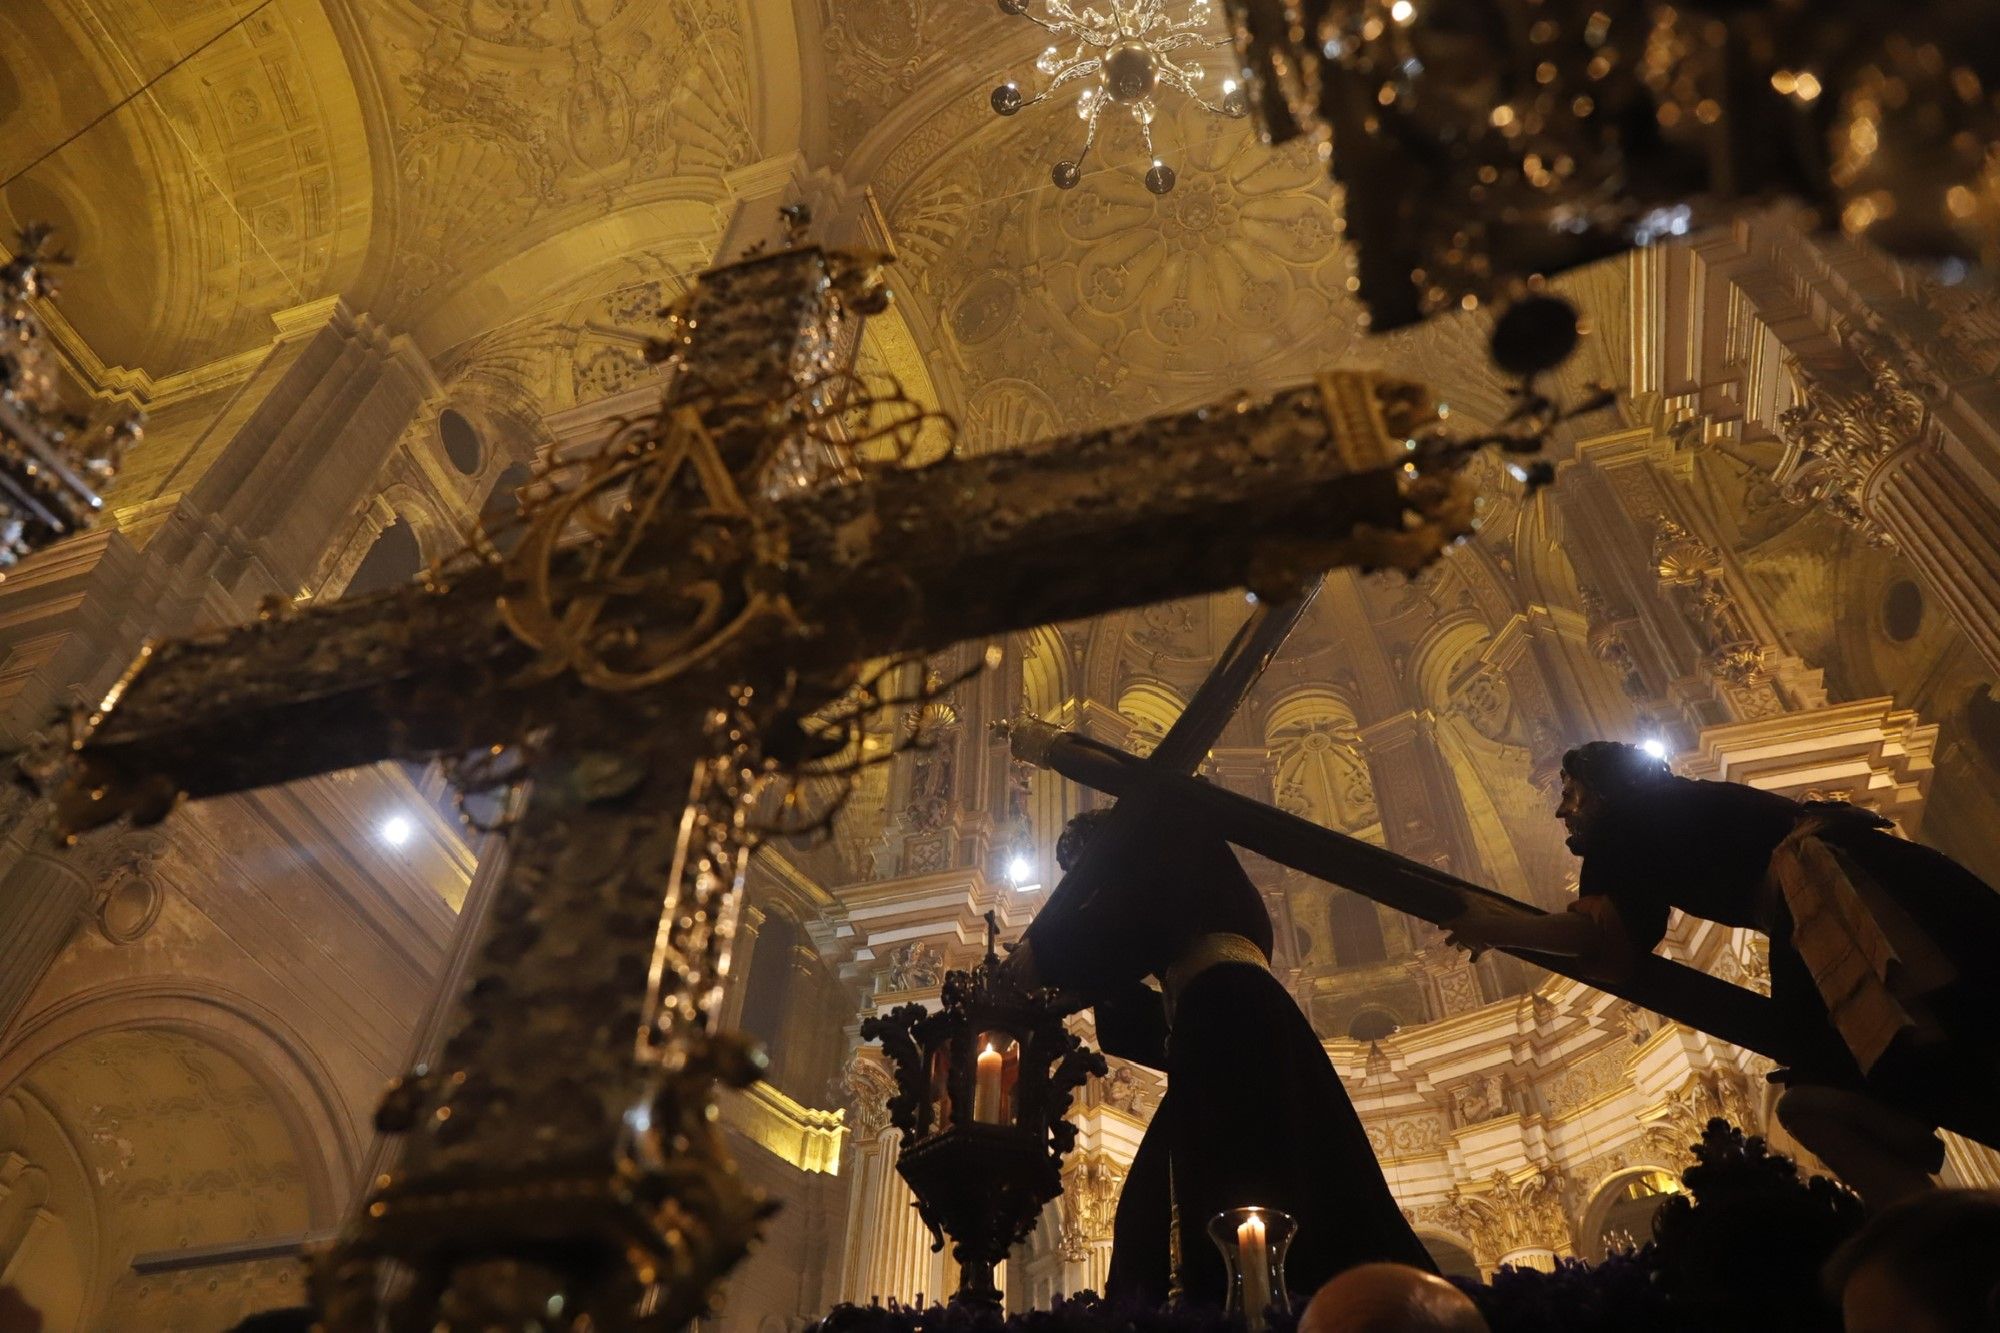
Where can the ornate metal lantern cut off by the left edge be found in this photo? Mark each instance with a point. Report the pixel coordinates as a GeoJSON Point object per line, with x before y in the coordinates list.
{"type": "Point", "coordinates": [51, 461]}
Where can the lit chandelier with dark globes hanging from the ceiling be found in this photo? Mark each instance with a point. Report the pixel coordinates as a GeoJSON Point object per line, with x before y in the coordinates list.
{"type": "Point", "coordinates": [1123, 57]}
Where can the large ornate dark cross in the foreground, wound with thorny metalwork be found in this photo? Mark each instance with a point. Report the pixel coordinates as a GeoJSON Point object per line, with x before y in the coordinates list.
{"type": "Point", "coordinates": [657, 647]}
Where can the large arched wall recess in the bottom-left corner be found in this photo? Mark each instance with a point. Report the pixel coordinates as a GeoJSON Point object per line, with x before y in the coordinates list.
{"type": "Point", "coordinates": [155, 1140]}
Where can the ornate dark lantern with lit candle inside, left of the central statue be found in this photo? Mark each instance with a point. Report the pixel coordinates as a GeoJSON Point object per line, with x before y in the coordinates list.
{"type": "Point", "coordinates": [983, 1088]}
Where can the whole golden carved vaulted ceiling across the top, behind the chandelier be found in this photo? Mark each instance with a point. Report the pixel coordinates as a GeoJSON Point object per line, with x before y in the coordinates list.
{"type": "Point", "coordinates": [513, 183]}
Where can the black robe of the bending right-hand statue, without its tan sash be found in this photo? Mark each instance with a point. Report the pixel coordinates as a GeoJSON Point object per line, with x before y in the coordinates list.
{"type": "Point", "coordinates": [1705, 848]}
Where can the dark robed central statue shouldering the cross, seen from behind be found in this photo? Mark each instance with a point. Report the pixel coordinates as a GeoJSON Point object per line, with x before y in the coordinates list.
{"type": "Point", "coordinates": [1255, 1112]}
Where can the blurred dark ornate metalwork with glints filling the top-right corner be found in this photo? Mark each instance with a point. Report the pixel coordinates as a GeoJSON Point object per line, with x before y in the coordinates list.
{"type": "Point", "coordinates": [1489, 143]}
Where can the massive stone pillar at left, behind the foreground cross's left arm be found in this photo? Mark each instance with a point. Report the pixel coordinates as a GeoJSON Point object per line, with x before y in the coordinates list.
{"type": "Point", "coordinates": [207, 519]}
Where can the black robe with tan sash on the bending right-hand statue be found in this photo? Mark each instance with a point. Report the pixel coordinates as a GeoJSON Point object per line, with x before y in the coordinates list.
{"type": "Point", "coordinates": [1881, 950]}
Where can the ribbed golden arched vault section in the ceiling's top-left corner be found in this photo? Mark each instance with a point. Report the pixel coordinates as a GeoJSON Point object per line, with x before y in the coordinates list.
{"type": "Point", "coordinates": [235, 189]}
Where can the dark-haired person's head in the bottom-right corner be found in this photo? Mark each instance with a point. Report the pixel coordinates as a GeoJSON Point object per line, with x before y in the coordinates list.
{"type": "Point", "coordinates": [1923, 1266]}
